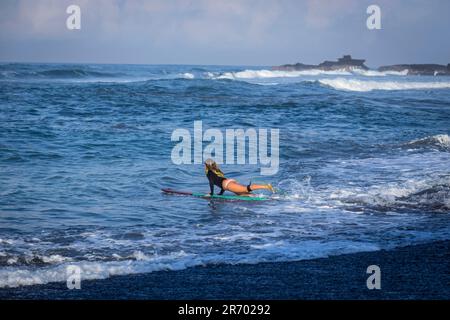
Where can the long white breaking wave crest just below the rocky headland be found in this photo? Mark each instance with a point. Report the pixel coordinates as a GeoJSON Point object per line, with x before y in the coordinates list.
{"type": "Point", "coordinates": [365, 86]}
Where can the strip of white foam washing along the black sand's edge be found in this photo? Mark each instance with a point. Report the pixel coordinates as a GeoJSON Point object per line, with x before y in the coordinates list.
{"type": "Point", "coordinates": [279, 251]}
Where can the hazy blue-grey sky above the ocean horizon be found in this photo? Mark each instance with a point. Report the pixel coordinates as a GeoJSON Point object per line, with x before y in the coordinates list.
{"type": "Point", "coordinates": [224, 32]}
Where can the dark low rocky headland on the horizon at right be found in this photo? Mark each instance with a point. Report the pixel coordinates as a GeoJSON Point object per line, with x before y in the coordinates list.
{"type": "Point", "coordinates": [347, 63]}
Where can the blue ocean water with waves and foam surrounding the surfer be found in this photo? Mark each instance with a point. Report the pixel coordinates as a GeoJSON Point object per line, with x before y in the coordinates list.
{"type": "Point", "coordinates": [85, 150]}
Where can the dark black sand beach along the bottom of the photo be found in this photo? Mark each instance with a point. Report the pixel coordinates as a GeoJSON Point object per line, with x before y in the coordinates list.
{"type": "Point", "coordinates": [413, 272]}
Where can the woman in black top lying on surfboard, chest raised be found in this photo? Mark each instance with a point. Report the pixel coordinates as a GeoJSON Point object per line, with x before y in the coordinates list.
{"type": "Point", "coordinates": [216, 177]}
